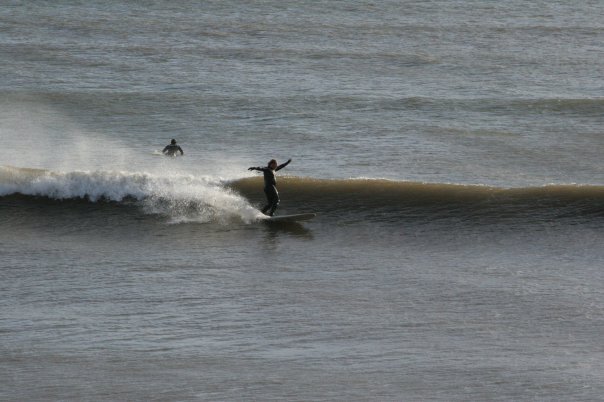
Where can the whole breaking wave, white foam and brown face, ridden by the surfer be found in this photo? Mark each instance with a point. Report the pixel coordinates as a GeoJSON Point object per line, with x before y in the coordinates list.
{"type": "Point", "coordinates": [190, 198]}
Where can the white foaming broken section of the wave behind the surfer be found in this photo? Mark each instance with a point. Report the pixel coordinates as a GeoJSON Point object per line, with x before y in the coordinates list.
{"type": "Point", "coordinates": [180, 198]}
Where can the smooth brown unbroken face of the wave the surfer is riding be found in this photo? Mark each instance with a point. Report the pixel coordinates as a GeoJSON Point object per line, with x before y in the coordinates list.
{"type": "Point", "coordinates": [386, 199]}
